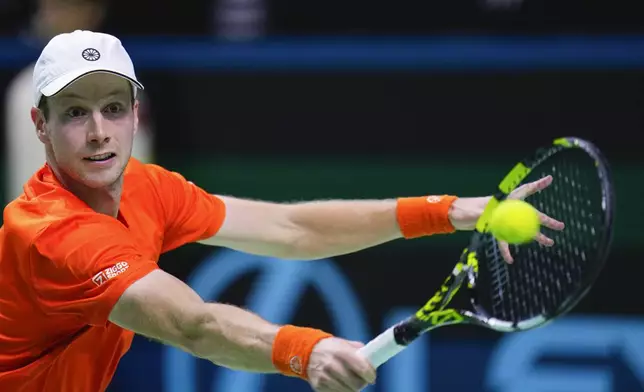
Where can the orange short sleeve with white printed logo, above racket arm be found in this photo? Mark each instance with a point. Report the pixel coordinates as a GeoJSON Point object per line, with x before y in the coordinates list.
{"type": "Point", "coordinates": [81, 266]}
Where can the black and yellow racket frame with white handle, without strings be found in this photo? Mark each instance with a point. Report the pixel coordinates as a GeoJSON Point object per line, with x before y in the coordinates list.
{"type": "Point", "coordinates": [433, 314]}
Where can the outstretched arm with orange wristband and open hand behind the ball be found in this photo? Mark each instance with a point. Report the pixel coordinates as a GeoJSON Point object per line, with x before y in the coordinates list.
{"type": "Point", "coordinates": [318, 229]}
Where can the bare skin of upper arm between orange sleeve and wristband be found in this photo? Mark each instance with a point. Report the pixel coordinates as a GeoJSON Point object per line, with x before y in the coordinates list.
{"type": "Point", "coordinates": [307, 230]}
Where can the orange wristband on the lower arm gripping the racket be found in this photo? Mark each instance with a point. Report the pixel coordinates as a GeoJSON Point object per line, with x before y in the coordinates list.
{"type": "Point", "coordinates": [292, 348]}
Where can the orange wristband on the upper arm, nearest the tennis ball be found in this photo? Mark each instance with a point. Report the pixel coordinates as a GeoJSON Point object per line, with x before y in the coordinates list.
{"type": "Point", "coordinates": [422, 216]}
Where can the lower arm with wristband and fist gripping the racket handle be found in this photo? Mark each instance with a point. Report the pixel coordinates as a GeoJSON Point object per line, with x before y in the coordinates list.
{"type": "Point", "coordinates": [163, 308]}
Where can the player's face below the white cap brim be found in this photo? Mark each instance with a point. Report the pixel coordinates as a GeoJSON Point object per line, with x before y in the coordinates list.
{"type": "Point", "coordinates": [90, 130]}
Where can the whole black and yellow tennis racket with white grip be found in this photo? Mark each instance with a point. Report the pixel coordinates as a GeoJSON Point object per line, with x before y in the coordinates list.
{"type": "Point", "coordinates": [543, 282]}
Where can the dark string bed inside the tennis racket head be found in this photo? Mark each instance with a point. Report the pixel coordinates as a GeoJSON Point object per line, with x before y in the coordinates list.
{"type": "Point", "coordinates": [541, 279]}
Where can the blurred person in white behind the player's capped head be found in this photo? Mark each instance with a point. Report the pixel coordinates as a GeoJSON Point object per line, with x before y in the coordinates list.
{"type": "Point", "coordinates": [25, 153]}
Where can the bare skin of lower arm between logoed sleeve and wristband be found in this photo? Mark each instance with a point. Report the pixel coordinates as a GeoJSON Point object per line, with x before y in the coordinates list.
{"type": "Point", "coordinates": [161, 307]}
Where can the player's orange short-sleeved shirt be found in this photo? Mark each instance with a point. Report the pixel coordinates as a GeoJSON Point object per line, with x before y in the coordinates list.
{"type": "Point", "coordinates": [63, 267]}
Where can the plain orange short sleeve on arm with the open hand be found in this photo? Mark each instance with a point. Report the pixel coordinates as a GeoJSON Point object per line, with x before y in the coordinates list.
{"type": "Point", "coordinates": [191, 214]}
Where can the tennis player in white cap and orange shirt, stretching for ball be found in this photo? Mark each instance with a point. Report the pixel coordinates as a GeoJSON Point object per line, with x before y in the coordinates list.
{"type": "Point", "coordinates": [79, 248]}
